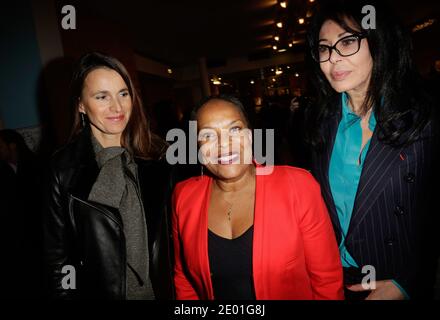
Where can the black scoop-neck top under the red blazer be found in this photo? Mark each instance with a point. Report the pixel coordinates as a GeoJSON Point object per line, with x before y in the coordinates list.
{"type": "Point", "coordinates": [231, 266]}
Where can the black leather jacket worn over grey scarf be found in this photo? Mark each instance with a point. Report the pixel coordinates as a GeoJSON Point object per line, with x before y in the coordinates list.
{"type": "Point", "coordinates": [90, 236]}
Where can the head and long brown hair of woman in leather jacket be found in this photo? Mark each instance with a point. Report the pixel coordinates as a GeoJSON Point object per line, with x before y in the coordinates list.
{"type": "Point", "coordinates": [103, 95]}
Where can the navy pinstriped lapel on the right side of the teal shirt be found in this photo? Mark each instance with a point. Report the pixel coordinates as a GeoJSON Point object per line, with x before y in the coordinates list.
{"type": "Point", "coordinates": [378, 165]}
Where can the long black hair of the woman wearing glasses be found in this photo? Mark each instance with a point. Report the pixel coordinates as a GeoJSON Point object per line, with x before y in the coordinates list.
{"type": "Point", "coordinates": [400, 105]}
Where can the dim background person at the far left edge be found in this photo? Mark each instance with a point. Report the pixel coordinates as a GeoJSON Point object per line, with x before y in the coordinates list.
{"type": "Point", "coordinates": [20, 206]}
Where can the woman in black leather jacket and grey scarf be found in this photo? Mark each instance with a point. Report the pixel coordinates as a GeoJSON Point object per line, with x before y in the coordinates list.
{"type": "Point", "coordinates": [106, 219]}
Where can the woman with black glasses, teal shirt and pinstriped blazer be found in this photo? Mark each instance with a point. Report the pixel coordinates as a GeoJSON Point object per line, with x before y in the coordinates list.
{"type": "Point", "coordinates": [373, 147]}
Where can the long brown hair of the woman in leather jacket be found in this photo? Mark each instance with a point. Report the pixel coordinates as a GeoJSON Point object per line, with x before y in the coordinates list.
{"type": "Point", "coordinates": [137, 137]}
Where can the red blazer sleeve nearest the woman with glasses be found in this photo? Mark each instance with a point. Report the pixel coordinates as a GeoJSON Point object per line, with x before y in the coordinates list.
{"type": "Point", "coordinates": [321, 250]}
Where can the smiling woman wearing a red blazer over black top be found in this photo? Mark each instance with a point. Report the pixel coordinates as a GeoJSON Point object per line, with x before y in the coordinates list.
{"type": "Point", "coordinates": [245, 231]}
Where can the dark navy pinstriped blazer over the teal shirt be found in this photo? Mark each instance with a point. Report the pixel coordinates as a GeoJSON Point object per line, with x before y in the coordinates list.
{"type": "Point", "coordinates": [391, 206]}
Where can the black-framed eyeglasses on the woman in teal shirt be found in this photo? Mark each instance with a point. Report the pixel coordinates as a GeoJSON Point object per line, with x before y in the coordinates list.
{"type": "Point", "coordinates": [345, 47]}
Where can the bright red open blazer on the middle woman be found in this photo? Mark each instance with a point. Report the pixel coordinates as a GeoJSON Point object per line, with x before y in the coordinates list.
{"type": "Point", "coordinates": [295, 254]}
